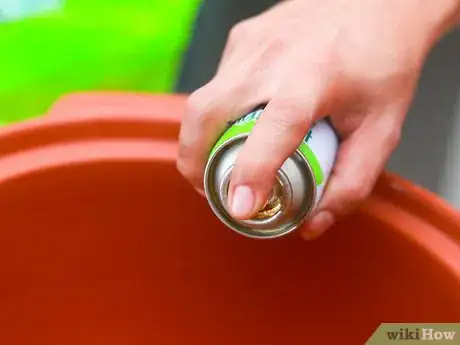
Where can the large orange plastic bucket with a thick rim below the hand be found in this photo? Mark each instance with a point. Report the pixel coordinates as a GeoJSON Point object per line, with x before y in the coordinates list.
{"type": "Point", "coordinates": [102, 242]}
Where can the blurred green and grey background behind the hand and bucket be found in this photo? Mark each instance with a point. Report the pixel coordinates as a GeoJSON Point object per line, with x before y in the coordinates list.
{"type": "Point", "coordinates": [52, 47]}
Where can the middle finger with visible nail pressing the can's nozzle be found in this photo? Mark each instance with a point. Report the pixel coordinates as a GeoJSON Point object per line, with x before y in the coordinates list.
{"type": "Point", "coordinates": [278, 132]}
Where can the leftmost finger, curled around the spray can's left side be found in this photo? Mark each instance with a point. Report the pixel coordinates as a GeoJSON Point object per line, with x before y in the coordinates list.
{"type": "Point", "coordinates": [208, 111]}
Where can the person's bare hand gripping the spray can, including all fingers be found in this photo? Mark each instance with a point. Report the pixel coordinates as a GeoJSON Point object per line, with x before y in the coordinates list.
{"type": "Point", "coordinates": [358, 61]}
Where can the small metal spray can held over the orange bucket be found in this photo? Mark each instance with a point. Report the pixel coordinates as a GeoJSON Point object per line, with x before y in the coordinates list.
{"type": "Point", "coordinates": [299, 185]}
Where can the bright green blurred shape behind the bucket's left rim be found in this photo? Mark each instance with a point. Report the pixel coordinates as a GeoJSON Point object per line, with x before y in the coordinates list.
{"type": "Point", "coordinates": [91, 45]}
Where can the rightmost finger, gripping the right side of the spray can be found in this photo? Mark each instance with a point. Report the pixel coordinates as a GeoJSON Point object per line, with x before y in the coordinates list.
{"type": "Point", "coordinates": [361, 158]}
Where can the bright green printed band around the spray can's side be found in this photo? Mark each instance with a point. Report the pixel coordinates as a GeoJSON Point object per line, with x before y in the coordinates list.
{"type": "Point", "coordinates": [246, 124]}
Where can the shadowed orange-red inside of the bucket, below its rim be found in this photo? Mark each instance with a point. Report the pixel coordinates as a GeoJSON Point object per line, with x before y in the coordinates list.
{"type": "Point", "coordinates": [126, 252]}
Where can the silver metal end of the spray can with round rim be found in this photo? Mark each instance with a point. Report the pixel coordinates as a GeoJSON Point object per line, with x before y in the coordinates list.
{"type": "Point", "coordinates": [295, 187]}
